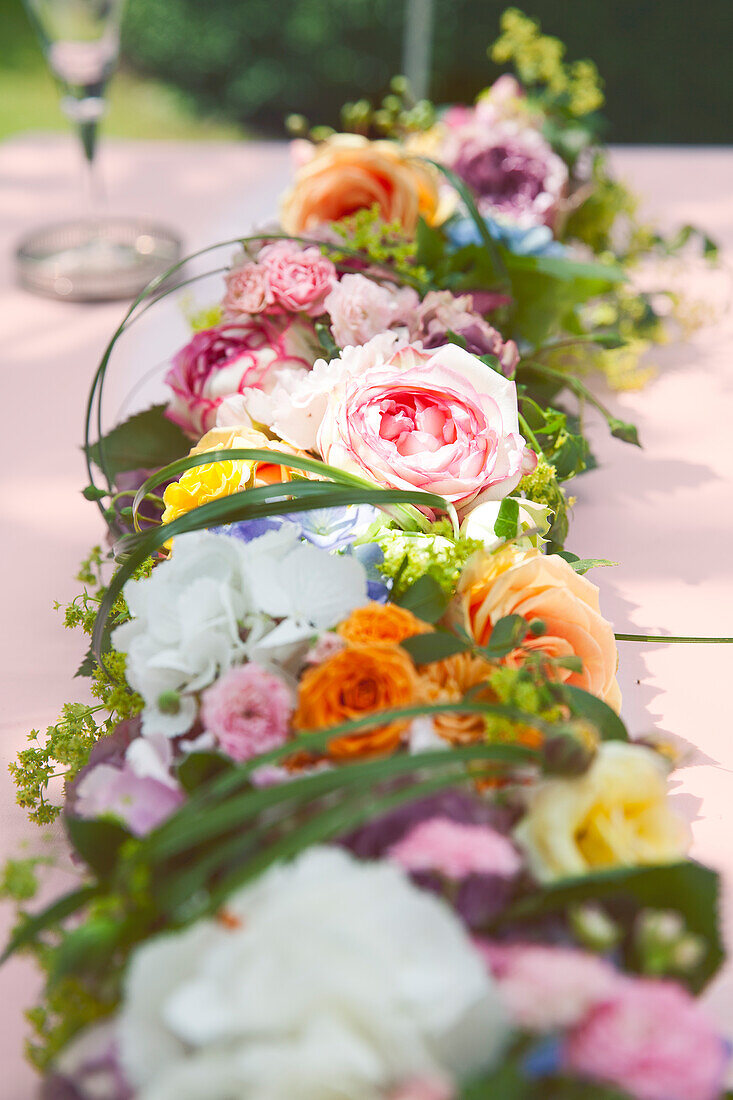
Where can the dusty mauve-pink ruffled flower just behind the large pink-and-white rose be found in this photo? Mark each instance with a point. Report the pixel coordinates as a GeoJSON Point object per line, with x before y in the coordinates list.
{"type": "Point", "coordinates": [442, 313]}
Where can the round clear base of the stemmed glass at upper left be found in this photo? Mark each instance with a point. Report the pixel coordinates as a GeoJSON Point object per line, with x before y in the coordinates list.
{"type": "Point", "coordinates": [94, 261]}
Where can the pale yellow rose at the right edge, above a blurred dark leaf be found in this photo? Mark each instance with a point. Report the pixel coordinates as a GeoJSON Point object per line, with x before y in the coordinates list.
{"type": "Point", "coordinates": [617, 815]}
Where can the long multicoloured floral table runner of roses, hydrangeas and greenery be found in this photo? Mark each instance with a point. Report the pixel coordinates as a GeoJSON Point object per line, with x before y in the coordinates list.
{"type": "Point", "coordinates": [356, 815]}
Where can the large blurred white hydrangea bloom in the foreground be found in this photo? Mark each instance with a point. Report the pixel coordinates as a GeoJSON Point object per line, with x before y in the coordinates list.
{"type": "Point", "coordinates": [332, 981]}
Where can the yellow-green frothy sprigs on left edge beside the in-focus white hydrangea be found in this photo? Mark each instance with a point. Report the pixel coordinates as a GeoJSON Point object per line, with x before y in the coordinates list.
{"type": "Point", "coordinates": [67, 745]}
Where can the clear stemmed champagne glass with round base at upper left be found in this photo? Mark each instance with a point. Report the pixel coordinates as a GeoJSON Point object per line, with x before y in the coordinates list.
{"type": "Point", "coordinates": [95, 257]}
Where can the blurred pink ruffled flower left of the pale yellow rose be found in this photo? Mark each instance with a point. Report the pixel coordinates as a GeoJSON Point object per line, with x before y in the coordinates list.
{"type": "Point", "coordinates": [456, 850]}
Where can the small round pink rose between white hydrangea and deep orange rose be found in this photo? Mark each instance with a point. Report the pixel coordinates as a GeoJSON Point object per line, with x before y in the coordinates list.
{"type": "Point", "coordinates": [248, 711]}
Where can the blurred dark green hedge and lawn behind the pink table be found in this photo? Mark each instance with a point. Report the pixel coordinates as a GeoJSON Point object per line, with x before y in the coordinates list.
{"type": "Point", "coordinates": [222, 69]}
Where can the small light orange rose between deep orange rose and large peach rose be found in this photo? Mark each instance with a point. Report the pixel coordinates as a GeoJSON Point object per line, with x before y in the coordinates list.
{"type": "Point", "coordinates": [448, 681]}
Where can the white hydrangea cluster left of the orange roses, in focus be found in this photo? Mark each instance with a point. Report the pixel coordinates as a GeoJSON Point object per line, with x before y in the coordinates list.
{"type": "Point", "coordinates": [218, 602]}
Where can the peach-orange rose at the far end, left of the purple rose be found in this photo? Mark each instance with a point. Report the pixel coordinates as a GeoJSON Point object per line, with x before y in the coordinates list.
{"type": "Point", "coordinates": [348, 173]}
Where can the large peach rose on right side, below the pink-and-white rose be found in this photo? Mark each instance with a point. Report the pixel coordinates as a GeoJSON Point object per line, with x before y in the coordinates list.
{"type": "Point", "coordinates": [543, 587]}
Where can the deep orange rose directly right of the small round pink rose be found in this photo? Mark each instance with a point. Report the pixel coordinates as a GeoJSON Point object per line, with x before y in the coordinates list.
{"type": "Point", "coordinates": [352, 685]}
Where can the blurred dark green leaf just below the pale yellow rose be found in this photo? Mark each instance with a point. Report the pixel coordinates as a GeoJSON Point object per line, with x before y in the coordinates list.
{"type": "Point", "coordinates": [688, 888]}
